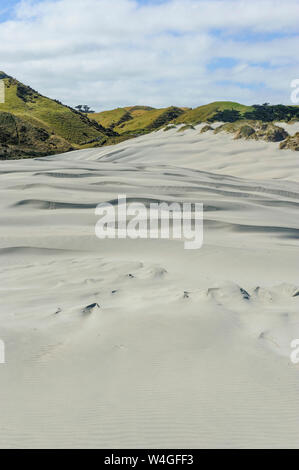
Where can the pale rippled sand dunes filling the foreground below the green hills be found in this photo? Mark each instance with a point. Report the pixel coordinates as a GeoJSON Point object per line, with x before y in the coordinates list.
{"type": "Point", "coordinates": [183, 348]}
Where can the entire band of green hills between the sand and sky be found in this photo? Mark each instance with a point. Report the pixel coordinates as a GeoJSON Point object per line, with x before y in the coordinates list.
{"type": "Point", "coordinates": [33, 125]}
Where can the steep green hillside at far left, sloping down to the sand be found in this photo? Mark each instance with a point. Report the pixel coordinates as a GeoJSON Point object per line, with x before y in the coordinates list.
{"type": "Point", "coordinates": [67, 127]}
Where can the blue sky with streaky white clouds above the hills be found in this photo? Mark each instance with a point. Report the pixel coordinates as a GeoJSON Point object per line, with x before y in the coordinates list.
{"type": "Point", "coordinates": [113, 53]}
